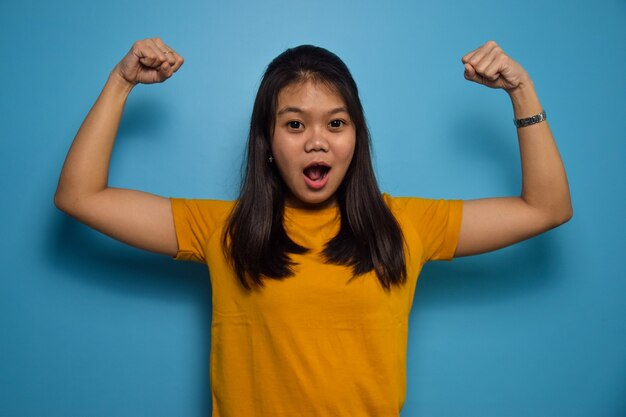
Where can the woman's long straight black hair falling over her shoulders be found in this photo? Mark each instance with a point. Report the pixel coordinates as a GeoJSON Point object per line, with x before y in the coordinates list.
{"type": "Point", "coordinates": [255, 239]}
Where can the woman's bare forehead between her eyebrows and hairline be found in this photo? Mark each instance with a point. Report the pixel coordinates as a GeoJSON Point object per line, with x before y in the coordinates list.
{"type": "Point", "coordinates": [309, 94]}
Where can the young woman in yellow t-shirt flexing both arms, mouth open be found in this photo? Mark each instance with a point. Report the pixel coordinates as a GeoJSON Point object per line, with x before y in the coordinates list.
{"type": "Point", "coordinates": [312, 268]}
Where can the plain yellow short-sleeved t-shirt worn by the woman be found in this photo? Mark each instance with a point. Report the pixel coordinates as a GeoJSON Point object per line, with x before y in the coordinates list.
{"type": "Point", "coordinates": [318, 343]}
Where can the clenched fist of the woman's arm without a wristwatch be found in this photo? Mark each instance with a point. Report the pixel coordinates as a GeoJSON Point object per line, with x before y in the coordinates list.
{"type": "Point", "coordinates": [148, 61]}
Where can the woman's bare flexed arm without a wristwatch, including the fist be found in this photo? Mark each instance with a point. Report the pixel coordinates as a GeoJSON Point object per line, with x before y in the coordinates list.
{"type": "Point", "coordinates": [139, 219]}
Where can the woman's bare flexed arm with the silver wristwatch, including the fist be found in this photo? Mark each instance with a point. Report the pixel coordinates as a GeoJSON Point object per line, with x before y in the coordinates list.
{"type": "Point", "coordinates": [493, 223]}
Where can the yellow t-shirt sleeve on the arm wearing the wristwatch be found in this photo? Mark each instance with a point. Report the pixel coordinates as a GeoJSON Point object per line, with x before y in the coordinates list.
{"type": "Point", "coordinates": [438, 224]}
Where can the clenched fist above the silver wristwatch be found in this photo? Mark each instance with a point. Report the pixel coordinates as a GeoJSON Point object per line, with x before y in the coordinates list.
{"type": "Point", "coordinates": [490, 66]}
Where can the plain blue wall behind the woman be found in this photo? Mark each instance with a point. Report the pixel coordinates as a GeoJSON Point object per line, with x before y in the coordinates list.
{"type": "Point", "coordinates": [90, 327]}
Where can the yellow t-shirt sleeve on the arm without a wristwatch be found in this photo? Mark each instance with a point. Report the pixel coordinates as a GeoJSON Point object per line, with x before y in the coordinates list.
{"type": "Point", "coordinates": [195, 221]}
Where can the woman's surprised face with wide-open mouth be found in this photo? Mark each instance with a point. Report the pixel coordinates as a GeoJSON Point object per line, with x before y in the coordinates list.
{"type": "Point", "coordinates": [313, 143]}
